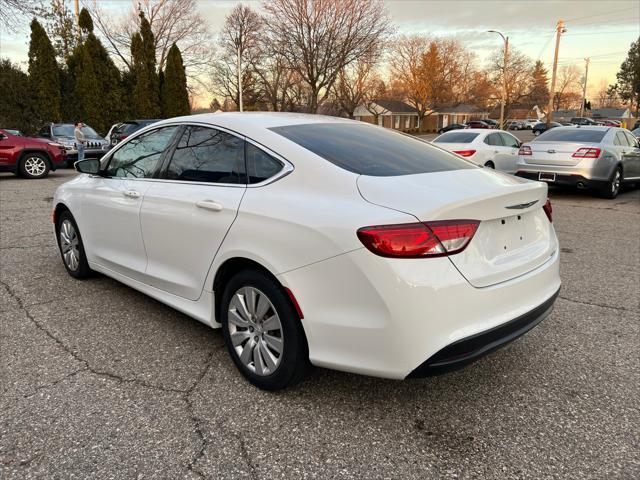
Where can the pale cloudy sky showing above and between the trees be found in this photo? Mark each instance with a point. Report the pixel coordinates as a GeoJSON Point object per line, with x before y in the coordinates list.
{"type": "Point", "coordinates": [600, 29]}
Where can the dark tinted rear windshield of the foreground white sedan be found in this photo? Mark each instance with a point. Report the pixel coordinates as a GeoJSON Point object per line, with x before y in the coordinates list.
{"type": "Point", "coordinates": [368, 150]}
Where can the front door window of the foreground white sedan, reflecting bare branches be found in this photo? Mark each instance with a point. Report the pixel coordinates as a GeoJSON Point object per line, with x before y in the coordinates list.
{"type": "Point", "coordinates": [140, 156]}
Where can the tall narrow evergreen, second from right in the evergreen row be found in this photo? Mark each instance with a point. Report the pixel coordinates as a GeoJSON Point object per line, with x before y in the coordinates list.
{"type": "Point", "coordinates": [146, 95]}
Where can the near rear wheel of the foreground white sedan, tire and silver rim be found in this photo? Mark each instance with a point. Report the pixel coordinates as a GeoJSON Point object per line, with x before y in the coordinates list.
{"type": "Point", "coordinates": [263, 332]}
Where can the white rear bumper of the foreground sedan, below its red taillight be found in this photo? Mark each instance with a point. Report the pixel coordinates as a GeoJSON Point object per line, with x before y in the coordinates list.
{"type": "Point", "coordinates": [383, 317]}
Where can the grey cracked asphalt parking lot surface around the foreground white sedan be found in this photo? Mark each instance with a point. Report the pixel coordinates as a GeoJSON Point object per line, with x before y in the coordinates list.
{"type": "Point", "coordinates": [99, 381]}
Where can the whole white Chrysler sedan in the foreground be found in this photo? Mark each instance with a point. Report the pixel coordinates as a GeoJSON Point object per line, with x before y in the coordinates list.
{"type": "Point", "coordinates": [316, 241]}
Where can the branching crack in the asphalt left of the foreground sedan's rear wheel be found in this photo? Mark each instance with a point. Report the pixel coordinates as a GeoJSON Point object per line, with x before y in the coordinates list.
{"type": "Point", "coordinates": [86, 367]}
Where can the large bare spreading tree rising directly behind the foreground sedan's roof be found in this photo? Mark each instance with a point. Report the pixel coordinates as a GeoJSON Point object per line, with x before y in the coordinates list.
{"type": "Point", "coordinates": [319, 38]}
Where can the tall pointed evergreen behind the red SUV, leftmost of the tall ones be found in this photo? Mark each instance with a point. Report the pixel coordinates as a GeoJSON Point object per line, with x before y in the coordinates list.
{"type": "Point", "coordinates": [44, 78]}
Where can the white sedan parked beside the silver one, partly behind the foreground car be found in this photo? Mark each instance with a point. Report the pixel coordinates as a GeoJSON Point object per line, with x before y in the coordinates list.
{"type": "Point", "coordinates": [490, 148]}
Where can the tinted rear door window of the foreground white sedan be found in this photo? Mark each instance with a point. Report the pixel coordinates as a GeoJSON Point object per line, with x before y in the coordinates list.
{"type": "Point", "coordinates": [207, 155]}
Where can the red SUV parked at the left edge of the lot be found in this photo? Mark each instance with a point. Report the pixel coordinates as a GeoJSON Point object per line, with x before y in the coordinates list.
{"type": "Point", "coordinates": [29, 157]}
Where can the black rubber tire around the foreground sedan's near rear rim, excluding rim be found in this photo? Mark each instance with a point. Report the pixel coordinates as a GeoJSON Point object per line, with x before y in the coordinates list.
{"type": "Point", "coordinates": [295, 355]}
